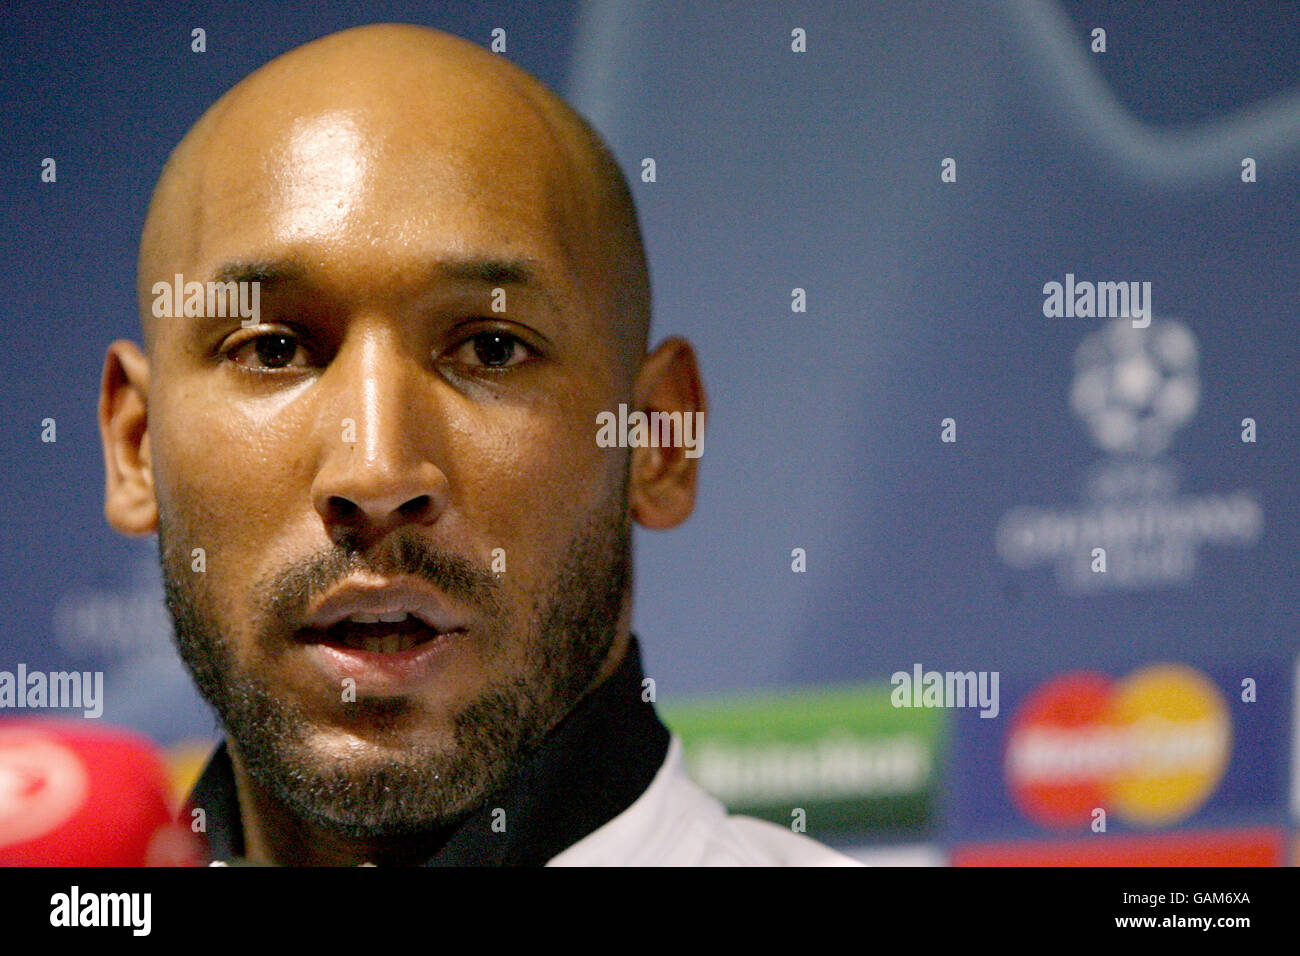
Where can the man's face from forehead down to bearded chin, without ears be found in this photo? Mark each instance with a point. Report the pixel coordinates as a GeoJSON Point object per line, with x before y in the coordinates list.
{"type": "Point", "coordinates": [385, 443]}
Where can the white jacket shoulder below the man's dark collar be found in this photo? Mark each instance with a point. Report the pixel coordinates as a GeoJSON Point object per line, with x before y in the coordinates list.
{"type": "Point", "coordinates": [677, 824]}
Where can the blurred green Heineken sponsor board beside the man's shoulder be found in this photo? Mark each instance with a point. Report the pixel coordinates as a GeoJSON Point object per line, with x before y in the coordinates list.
{"type": "Point", "coordinates": [846, 756]}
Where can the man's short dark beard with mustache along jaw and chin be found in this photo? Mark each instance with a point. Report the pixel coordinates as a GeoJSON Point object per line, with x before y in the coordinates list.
{"type": "Point", "coordinates": [566, 637]}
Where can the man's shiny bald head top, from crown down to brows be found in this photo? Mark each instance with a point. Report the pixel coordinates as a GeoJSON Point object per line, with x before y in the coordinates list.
{"type": "Point", "coordinates": [375, 136]}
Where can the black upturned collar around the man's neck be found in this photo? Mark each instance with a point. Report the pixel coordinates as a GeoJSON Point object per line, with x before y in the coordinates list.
{"type": "Point", "coordinates": [590, 769]}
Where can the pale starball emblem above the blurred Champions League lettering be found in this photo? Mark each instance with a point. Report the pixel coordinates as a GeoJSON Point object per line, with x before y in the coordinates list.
{"type": "Point", "coordinates": [1134, 388]}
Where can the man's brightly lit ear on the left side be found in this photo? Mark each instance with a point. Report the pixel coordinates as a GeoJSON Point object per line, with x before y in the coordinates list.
{"type": "Point", "coordinates": [129, 503]}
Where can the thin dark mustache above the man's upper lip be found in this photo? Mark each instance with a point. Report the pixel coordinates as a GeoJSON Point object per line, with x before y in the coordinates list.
{"type": "Point", "coordinates": [291, 592]}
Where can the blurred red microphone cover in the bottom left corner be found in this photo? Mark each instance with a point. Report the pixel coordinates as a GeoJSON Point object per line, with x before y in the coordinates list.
{"type": "Point", "coordinates": [79, 795]}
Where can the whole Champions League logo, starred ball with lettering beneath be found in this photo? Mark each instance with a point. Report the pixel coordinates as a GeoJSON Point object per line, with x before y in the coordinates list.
{"type": "Point", "coordinates": [1132, 529]}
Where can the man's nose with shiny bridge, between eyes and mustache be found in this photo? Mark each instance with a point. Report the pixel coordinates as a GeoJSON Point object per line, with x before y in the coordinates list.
{"type": "Point", "coordinates": [378, 470]}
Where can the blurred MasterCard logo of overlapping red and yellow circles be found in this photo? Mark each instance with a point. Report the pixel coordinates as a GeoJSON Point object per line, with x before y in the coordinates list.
{"type": "Point", "coordinates": [1150, 749]}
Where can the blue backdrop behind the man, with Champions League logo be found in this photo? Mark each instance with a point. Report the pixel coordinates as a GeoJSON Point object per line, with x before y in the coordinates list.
{"type": "Point", "coordinates": [777, 171]}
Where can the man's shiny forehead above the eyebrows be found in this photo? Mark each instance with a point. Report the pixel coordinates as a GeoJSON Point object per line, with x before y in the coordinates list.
{"type": "Point", "coordinates": [374, 178]}
